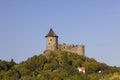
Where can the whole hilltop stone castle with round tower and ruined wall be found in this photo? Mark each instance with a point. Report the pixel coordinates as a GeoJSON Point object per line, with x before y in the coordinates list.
{"type": "Point", "coordinates": [52, 44]}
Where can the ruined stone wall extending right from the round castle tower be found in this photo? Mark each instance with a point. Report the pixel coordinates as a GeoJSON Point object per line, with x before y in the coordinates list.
{"type": "Point", "coordinates": [79, 49]}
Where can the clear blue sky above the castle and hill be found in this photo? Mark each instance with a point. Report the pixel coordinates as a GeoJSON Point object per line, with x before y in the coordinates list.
{"type": "Point", "coordinates": [93, 23]}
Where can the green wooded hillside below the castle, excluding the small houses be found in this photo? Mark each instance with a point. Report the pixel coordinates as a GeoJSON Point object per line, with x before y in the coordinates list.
{"type": "Point", "coordinates": [57, 65]}
